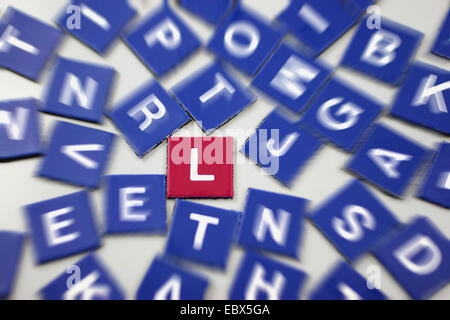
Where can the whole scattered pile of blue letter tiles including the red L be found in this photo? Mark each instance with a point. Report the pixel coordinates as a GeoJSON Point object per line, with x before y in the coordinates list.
{"type": "Point", "coordinates": [417, 254]}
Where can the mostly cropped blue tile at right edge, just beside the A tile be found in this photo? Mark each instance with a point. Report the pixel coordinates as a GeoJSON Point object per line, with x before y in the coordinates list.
{"type": "Point", "coordinates": [436, 185]}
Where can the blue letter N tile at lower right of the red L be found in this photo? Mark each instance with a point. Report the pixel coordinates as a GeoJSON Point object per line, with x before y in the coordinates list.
{"type": "Point", "coordinates": [272, 221]}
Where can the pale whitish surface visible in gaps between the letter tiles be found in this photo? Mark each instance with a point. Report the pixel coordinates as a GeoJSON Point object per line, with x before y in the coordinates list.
{"type": "Point", "coordinates": [128, 257]}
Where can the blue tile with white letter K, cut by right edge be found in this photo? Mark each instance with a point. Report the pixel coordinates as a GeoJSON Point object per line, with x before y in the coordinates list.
{"type": "Point", "coordinates": [424, 98]}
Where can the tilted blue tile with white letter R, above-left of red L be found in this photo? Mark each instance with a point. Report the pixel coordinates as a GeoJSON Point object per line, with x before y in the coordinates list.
{"type": "Point", "coordinates": [147, 117]}
